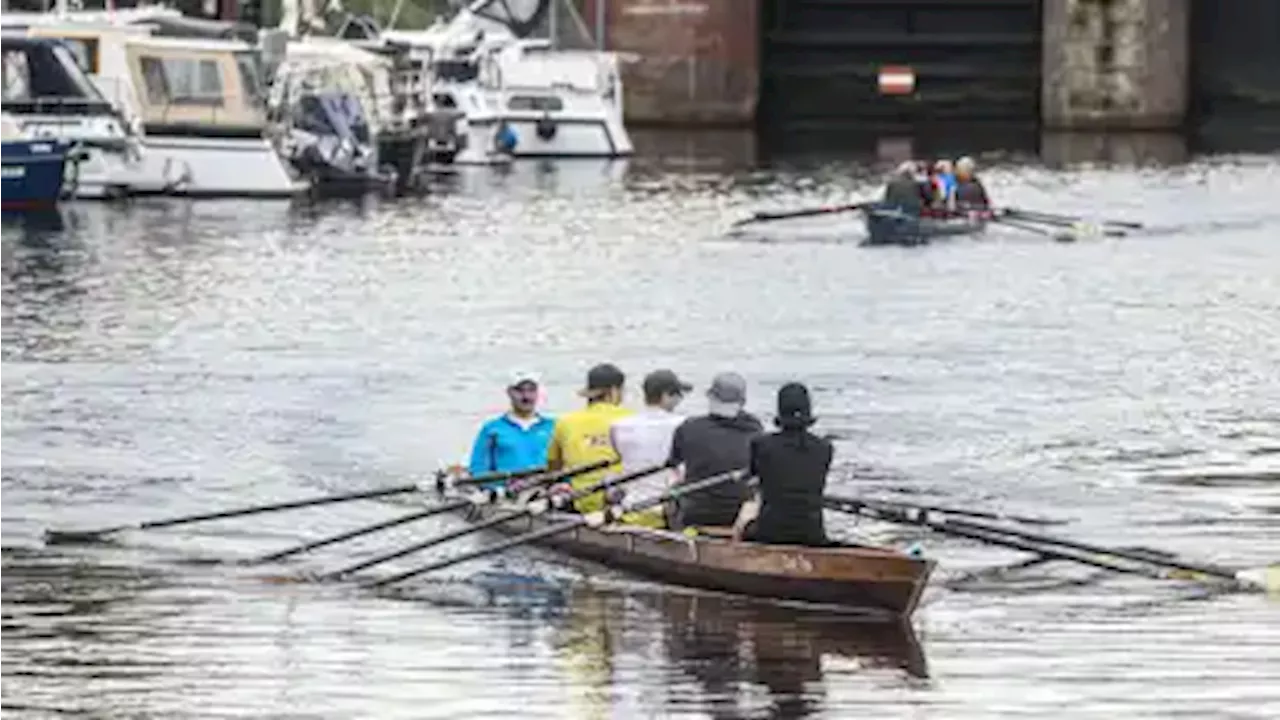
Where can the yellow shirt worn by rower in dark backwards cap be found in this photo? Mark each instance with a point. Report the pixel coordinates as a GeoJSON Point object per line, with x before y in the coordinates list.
{"type": "Point", "coordinates": [580, 439]}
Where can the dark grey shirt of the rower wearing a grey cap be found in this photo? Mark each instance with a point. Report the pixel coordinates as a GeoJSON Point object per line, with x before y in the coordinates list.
{"type": "Point", "coordinates": [711, 445]}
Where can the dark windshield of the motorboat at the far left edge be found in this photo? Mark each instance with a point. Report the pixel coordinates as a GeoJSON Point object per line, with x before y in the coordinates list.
{"type": "Point", "coordinates": [44, 72]}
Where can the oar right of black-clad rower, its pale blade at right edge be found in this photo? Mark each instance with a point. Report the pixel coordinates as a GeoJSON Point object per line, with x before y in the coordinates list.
{"type": "Point", "coordinates": [1146, 563]}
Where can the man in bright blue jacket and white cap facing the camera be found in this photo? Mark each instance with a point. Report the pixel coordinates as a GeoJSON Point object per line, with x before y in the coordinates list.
{"type": "Point", "coordinates": [518, 439]}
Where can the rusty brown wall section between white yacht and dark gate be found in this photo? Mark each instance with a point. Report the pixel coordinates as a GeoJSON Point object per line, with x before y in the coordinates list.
{"type": "Point", "coordinates": [697, 62]}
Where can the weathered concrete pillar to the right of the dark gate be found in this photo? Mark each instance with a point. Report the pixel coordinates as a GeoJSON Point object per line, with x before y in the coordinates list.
{"type": "Point", "coordinates": [1116, 65]}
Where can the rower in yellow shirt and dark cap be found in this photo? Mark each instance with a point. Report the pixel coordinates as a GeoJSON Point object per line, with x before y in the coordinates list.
{"type": "Point", "coordinates": [582, 438]}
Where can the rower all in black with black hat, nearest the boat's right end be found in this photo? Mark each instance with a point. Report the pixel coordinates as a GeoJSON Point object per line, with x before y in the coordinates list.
{"type": "Point", "coordinates": [792, 466]}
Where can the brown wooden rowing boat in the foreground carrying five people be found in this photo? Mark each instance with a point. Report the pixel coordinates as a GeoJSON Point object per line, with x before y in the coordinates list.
{"type": "Point", "coordinates": [875, 581]}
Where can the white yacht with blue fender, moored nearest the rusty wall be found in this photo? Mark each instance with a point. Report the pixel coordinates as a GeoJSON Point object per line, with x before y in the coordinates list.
{"type": "Point", "coordinates": [520, 97]}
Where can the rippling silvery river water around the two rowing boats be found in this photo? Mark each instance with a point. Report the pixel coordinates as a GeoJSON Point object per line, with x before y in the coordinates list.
{"type": "Point", "coordinates": [168, 358]}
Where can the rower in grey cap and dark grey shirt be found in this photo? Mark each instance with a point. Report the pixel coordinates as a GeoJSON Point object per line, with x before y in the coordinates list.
{"type": "Point", "coordinates": [711, 445]}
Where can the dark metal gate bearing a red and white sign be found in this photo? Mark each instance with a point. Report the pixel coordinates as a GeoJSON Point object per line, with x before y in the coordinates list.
{"type": "Point", "coordinates": [824, 62]}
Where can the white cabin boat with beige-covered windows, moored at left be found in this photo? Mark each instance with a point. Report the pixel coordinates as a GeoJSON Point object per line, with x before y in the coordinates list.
{"type": "Point", "coordinates": [195, 106]}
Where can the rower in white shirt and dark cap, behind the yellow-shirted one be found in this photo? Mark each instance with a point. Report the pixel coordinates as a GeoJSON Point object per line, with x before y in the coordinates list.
{"type": "Point", "coordinates": [644, 440]}
